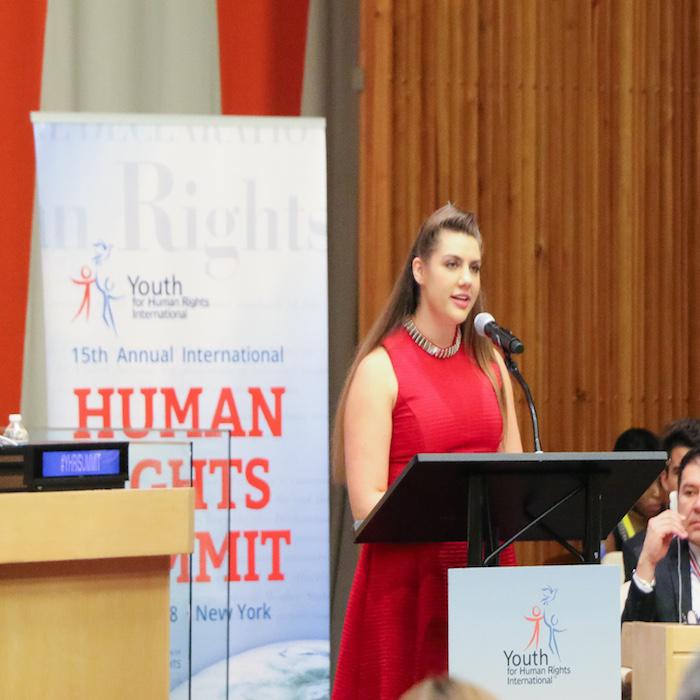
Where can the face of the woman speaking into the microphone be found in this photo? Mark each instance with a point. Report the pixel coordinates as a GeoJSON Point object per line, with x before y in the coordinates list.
{"type": "Point", "coordinates": [450, 278]}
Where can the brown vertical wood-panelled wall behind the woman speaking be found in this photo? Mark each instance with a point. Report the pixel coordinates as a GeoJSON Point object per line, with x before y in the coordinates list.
{"type": "Point", "coordinates": [572, 128]}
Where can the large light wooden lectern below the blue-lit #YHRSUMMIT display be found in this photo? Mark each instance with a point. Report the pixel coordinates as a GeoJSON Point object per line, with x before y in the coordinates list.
{"type": "Point", "coordinates": [84, 591]}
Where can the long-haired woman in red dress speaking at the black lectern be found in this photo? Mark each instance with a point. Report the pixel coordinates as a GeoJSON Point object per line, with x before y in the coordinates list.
{"type": "Point", "coordinates": [422, 381]}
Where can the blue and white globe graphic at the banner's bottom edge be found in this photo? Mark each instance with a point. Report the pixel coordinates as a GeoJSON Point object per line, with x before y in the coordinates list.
{"type": "Point", "coordinates": [295, 670]}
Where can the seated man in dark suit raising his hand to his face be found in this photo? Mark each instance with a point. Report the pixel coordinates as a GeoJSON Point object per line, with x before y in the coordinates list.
{"type": "Point", "coordinates": [666, 582]}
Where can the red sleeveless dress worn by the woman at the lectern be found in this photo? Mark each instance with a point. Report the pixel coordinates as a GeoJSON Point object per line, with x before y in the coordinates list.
{"type": "Point", "coordinates": [395, 631]}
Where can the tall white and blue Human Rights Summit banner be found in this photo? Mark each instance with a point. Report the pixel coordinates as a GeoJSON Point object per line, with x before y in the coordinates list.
{"type": "Point", "coordinates": [184, 274]}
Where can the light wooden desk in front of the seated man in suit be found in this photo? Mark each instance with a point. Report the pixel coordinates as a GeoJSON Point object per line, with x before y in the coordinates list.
{"type": "Point", "coordinates": [658, 653]}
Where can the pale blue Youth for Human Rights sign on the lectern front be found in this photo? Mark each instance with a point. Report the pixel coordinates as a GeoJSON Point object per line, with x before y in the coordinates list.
{"type": "Point", "coordinates": [536, 632]}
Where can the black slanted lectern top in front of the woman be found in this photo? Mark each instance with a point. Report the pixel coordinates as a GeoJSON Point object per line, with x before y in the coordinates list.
{"type": "Point", "coordinates": [428, 501]}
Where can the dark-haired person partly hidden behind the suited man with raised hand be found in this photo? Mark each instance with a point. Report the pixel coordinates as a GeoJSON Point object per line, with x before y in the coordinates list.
{"type": "Point", "coordinates": [679, 437]}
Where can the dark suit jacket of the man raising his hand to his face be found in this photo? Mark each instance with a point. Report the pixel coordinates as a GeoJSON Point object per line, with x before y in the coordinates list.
{"type": "Point", "coordinates": [661, 605]}
